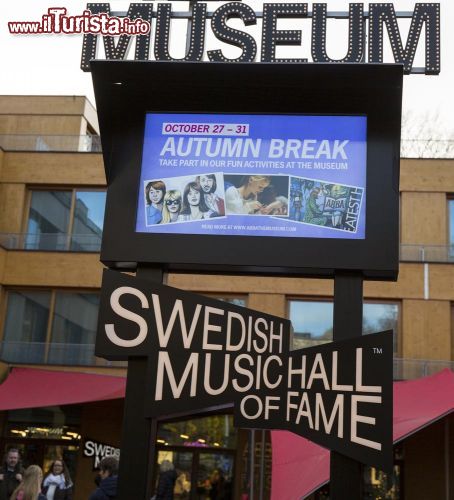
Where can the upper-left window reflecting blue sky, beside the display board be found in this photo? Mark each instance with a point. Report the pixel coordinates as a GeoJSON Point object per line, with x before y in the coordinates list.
{"type": "Point", "coordinates": [65, 220]}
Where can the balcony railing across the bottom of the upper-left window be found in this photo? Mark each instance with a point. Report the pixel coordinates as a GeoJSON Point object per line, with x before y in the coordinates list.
{"type": "Point", "coordinates": [51, 242]}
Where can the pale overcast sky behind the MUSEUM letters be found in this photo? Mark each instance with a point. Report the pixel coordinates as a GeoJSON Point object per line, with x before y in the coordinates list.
{"type": "Point", "coordinates": [50, 64]}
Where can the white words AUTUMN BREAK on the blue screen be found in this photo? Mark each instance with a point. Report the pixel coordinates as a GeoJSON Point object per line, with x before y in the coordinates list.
{"type": "Point", "coordinates": [245, 147]}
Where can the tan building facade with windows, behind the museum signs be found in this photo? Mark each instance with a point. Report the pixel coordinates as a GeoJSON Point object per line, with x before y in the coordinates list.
{"type": "Point", "coordinates": [52, 195]}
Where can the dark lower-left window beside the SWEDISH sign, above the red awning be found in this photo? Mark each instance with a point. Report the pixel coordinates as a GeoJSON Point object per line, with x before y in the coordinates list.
{"type": "Point", "coordinates": [55, 327]}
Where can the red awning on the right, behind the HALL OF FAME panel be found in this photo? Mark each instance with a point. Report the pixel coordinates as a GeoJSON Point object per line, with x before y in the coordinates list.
{"type": "Point", "coordinates": [300, 467]}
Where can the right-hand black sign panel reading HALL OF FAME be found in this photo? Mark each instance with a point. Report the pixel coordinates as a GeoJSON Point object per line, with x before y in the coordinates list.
{"type": "Point", "coordinates": [338, 395]}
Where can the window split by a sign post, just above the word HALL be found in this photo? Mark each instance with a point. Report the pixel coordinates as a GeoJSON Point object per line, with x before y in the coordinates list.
{"type": "Point", "coordinates": [313, 321]}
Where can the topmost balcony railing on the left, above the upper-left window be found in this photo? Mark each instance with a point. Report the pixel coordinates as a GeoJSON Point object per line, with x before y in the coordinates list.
{"type": "Point", "coordinates": [66, 143]}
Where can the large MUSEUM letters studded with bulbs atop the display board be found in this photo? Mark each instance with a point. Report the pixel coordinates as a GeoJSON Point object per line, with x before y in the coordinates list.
{"type": "Point", "coordinates": [367, 33]}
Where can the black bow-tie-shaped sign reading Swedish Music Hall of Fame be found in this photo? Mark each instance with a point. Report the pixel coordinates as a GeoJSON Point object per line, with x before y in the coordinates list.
{"type": "Point", "coordinates": [204, 353]}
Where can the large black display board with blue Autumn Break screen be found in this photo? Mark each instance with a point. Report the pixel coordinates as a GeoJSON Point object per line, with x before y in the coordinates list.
{"type": "Point", "coordinates": [126, 92]}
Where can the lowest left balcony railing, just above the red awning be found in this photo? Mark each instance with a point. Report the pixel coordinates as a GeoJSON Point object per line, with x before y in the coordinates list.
{"type": "Point", "coordinates": [54, 353]}
